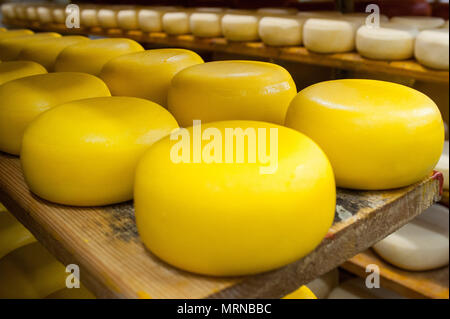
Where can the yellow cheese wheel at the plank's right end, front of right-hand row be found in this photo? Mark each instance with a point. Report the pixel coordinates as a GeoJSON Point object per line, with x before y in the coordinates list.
{"type": "Point", "coordinates": [377, 135]}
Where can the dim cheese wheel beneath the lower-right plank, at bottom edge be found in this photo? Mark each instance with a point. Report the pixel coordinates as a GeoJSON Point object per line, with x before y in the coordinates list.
{"type": "Point", "coordinates": [357, 289]}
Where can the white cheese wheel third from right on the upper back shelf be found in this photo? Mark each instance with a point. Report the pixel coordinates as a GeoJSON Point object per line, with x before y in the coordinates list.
{"type": "Point", "coordinates": [329, 36]}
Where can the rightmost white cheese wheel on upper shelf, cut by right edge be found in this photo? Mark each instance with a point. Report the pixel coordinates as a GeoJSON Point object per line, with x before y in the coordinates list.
{"type": "Point", "coordinates": [431, 49]}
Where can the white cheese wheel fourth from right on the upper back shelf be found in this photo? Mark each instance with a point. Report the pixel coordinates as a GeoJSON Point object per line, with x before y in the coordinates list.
{"type": "Point", "coordinates": [281, 31]}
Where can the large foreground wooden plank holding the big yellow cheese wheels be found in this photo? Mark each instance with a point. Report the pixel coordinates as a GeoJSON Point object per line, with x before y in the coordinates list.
{"type": "Point", "coordinates": [104, 241]}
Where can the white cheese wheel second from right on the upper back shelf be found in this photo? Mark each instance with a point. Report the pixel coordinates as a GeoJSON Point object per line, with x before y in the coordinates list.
{"type": "Point", "coordinates": [385, 43]}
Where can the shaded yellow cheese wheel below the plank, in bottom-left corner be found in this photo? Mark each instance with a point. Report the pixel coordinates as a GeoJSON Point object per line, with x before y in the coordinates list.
{"type": "Point", "coordinates": [30, 272]}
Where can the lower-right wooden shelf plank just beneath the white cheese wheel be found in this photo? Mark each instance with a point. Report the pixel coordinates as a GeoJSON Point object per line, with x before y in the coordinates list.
{"type": "Point", "coordinates": [411, 284]}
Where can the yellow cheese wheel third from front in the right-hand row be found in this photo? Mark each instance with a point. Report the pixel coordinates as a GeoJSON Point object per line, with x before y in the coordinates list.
{"type": "Point", "coordinates": [147, 74]}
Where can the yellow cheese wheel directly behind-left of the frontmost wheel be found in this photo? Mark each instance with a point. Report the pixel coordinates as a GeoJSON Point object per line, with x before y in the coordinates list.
{"type": "Point", "coordinates": [84, 153]}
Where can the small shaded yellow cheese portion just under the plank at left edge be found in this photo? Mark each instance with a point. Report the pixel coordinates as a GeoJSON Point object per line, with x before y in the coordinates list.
{"type": "Point", "coordinates": [13, 234]}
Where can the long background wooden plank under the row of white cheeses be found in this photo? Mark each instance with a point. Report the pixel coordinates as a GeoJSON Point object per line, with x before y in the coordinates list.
{"type": "Point", "coordinates": [348, 61]}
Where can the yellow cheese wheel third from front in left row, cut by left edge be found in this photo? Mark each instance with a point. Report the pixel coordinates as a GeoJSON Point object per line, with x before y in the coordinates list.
{"type": "Point", "coordinates": [24, 99]}
